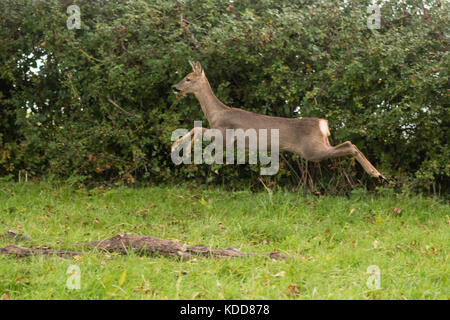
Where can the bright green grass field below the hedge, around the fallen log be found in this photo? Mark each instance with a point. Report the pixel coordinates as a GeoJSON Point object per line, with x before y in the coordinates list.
{"type": "Point", "coordinates": [333, 241]}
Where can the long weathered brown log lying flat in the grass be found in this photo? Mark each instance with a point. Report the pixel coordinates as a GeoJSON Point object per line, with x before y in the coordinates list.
{"type": "Point", "coordinates": [147, 245]}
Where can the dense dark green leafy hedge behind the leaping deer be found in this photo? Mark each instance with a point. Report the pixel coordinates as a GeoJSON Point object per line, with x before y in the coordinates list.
{"type": "Point", "coordinates": [95, 103]}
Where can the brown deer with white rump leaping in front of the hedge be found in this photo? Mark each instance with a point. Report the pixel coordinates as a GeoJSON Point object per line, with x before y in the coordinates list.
{"type": "Point", "coordinates": [307, 137]}
